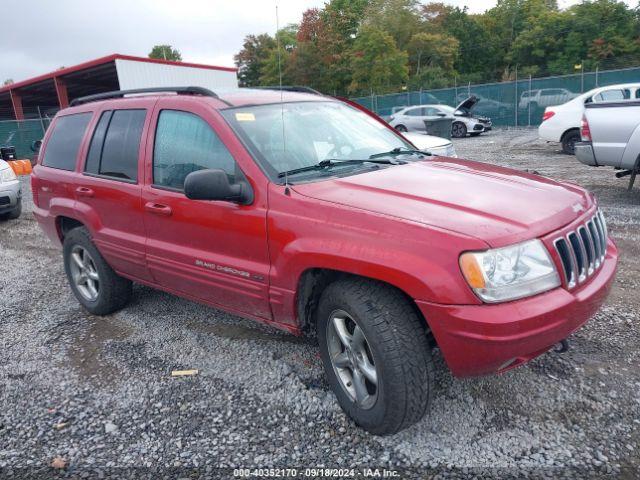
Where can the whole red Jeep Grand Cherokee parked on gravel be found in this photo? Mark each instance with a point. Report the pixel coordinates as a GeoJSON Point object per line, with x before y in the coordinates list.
{"type": "Point", "coordinates": [310, 214]}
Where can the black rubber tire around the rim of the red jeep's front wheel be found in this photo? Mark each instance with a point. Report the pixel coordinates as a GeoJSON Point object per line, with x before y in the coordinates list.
{"type": "Point", "coordinates": [396, 341]}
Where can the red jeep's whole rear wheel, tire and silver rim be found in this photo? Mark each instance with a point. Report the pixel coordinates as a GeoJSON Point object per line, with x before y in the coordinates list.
{"type": "Point", "coordinates": [94, 283]}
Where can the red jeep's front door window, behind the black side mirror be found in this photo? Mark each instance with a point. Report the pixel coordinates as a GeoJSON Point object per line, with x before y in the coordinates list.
{"type": "Point", "coordinates": [185, 143]}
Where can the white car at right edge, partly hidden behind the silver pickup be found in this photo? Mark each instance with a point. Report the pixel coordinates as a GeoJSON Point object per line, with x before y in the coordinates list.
{"type": "Point", "coordinates": [561, 123]}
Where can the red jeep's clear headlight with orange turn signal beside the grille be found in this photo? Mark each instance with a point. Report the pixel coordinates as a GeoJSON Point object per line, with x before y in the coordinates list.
{"type": "Point", "coordinates": [509, 273]}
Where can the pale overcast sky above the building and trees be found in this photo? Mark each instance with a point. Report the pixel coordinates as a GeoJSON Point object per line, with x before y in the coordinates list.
{"type": "Point", "coordinates": [51, 34]}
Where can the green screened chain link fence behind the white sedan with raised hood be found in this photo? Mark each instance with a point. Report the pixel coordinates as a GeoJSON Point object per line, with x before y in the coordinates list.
{"type": "Point", "coordinates": [517, 103]}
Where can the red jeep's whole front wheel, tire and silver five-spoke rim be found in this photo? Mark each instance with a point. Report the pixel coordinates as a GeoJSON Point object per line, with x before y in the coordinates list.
{"type": "Point", "coordinates": [376, 355]}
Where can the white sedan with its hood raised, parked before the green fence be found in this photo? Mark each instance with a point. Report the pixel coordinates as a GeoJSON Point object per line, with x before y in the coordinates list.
{"type": "Point", "coordinates": [411, 119]}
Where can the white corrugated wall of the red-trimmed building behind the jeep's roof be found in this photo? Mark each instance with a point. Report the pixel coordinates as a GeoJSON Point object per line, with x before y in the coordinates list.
{"type": "Point", "coordinates": [132, 74]}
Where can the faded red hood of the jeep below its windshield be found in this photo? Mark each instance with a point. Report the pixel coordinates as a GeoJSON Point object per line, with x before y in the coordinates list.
{"type": "Point", "coordinates": [497, 205]}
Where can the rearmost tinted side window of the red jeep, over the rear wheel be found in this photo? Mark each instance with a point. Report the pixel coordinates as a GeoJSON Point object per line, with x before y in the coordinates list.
{"type": "Point", "coordinates": [62, 147]}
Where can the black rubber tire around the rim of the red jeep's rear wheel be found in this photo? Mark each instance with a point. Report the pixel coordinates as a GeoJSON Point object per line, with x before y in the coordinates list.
{"type": "Point", "coordinates": [113, 293]}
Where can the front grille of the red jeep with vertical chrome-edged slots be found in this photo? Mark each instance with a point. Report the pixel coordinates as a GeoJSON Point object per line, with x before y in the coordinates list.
{"type": "Point", "coordinates": [582, 250]}
